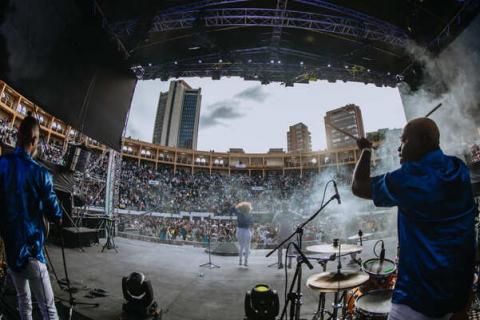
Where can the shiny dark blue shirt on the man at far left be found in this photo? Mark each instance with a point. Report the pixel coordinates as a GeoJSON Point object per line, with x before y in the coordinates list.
{"type": "Point", "coordinates": [26, 196]}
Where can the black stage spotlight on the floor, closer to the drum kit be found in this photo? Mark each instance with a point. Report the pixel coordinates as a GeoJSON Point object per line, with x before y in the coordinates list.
{"type": "Point", "coordinates": [261, 303]}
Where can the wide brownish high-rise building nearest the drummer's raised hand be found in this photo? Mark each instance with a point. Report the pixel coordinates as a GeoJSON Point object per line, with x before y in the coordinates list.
{"type": "Point", "coordinates": [347, 118]}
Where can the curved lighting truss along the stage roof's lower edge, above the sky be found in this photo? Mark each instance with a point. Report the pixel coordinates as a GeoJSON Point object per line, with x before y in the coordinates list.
{"type": "Point", "coordinates": [253, 64]}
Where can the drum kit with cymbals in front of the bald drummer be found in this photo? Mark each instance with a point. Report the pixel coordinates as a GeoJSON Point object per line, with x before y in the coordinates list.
{"type": "Point", "coordinates": [357, 294]}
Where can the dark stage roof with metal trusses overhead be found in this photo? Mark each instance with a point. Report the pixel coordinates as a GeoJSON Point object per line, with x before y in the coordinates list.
{"type": "Point", "coordinates": [278, 40]}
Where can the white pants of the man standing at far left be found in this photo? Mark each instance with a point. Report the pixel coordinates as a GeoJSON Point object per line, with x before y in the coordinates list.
{"type": "Point", "coordinates": [35, 277]}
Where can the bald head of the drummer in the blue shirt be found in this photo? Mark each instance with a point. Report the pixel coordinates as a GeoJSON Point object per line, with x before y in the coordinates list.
{"type": "Point", "coordinates": [420, 136]}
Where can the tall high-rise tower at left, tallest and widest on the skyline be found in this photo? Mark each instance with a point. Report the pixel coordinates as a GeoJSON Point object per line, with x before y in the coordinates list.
{"type": "Point", "coordinates": [178, 115]}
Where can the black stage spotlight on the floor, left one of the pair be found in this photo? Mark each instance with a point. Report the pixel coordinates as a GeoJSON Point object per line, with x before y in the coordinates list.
{"type": "Point", "coordinates": [138, 293]}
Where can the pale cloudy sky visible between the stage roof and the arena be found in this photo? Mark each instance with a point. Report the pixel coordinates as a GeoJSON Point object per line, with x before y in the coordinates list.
{"type": "Point", "coordinates": [245, 114]}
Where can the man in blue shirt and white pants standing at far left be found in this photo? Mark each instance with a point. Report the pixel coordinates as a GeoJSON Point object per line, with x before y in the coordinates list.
{"type": "Point", "coordinates": [26, 197]}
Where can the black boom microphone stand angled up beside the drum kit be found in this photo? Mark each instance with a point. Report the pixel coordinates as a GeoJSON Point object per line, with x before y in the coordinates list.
{"type": "Point", "coordinates": [295, 298]}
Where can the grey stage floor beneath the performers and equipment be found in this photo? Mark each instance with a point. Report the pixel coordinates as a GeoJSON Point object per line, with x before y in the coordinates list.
{"type": "Point", "coordinates": [182, 289]}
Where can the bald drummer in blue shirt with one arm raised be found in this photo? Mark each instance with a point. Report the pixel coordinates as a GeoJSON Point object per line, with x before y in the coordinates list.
{"type": "Point", "coordinates": [435, 222]}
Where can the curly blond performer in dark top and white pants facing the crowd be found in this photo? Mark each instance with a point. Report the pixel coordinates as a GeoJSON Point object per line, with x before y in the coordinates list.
{"type": "Point", "coordinates": [244, 235]}
